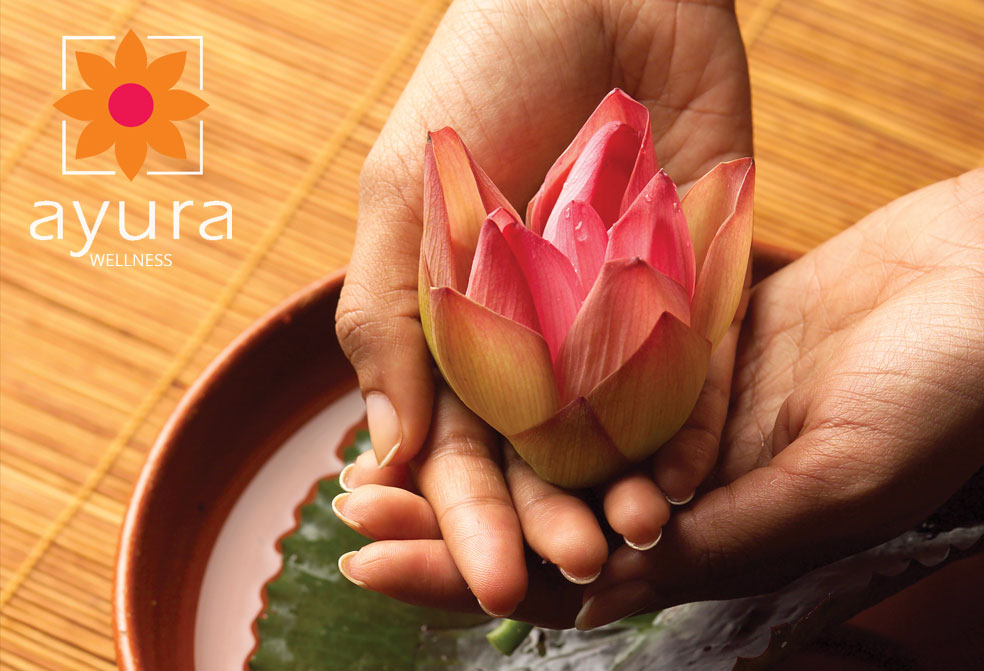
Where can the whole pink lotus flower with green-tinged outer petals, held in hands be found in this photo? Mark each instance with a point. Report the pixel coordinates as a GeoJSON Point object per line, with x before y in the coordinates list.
{"type": "Point", "coordinates": [584, 335]}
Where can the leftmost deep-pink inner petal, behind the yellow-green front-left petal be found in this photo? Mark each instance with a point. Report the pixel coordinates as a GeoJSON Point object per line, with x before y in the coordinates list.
{"type": "Point", "coordinates": [497, 281]}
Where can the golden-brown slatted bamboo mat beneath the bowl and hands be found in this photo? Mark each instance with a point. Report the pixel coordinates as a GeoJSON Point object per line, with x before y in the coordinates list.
{"type": "Point", "coordinates": [855, 101]}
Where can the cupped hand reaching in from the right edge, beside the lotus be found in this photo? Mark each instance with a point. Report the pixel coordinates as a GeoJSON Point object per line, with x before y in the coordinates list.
{"type": "Point", "coordinates": [858, 409]}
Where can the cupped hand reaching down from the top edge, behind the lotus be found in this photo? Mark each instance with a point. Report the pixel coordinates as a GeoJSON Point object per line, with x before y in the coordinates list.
{"type": "Point", "coordinates": [517, 79]}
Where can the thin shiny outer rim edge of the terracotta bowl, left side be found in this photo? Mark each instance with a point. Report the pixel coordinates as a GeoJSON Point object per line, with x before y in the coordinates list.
{"type": "Point", "coordinates": [150, 473]}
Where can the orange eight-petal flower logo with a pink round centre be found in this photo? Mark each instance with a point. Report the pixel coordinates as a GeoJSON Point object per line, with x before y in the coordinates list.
{"type": "Point", "coordinates": [130, 105]}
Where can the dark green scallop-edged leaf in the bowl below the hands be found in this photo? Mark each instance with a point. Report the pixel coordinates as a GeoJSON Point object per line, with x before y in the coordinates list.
{"type": "Point", "coordinates": [316, 620]}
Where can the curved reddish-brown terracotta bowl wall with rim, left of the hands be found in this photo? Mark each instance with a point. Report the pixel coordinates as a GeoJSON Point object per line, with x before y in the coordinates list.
{"type": "Point", "coordinates": [265, 385]}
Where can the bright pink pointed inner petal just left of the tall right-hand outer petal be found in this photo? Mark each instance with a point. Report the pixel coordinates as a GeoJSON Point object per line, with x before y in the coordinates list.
{"type": "Point", "coordinates": [655, 229]}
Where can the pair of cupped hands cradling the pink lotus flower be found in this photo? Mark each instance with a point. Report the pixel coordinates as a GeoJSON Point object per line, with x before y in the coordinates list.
{"type": "Point", "coordinates": [859, 367]}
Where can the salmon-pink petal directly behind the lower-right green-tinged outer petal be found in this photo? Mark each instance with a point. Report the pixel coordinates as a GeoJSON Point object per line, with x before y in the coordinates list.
{"type": "Point", "coordinates": [617, 316]}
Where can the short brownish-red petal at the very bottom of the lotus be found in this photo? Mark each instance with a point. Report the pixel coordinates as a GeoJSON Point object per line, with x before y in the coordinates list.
{"type": "Point", "coordinates": [570, 449]}
